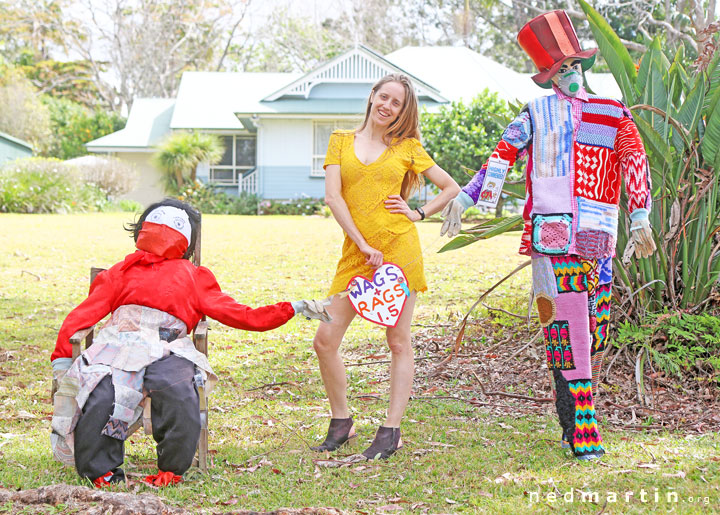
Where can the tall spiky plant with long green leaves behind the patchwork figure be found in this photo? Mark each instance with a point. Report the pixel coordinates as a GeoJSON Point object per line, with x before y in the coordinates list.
{"type": "Point", "coordinates": [677, 112]}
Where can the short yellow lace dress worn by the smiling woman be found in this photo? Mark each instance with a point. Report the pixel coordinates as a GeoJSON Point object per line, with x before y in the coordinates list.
{"type": "Point", "coordinates": [365, 189]}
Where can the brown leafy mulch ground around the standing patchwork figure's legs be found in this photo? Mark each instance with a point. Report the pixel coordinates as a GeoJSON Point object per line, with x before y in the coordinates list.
{"type": "Point", "coordinates": [508, 376]}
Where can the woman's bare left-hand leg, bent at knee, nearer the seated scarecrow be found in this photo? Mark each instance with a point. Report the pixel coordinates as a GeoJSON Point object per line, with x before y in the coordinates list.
{"type": "Point", "coordinates": [327, 344]}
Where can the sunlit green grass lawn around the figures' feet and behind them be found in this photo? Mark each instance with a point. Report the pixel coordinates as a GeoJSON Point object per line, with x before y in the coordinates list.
{"type": "Point", "coordinates": [457, 457]}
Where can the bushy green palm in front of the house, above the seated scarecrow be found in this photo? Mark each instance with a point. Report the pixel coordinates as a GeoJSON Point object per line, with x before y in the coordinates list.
{"type": "Point", "coordinates": [181, 152]}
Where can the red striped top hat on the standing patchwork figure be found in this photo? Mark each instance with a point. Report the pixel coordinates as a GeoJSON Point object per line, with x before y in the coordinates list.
{"type": "Point", "coordinates": [549, 39]}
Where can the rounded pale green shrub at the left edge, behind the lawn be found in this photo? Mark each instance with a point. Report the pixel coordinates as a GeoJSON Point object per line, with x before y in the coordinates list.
{"type": "Point", "coordinates": [37, 185]}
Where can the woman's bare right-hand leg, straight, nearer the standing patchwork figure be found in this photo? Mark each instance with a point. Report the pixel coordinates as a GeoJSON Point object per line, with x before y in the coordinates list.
{"type": "Point", "coordinates": [402, 367]}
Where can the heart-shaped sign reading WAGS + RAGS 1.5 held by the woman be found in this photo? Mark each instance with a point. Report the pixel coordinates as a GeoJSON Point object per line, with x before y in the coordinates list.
{"type": "Point", "coordinates": [381, 300]}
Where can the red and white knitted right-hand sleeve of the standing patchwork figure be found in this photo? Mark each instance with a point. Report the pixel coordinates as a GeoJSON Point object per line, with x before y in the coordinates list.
{"type": "Point", "coordinates": [634, 165]}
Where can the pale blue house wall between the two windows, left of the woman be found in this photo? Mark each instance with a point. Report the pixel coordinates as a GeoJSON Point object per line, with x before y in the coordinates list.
{"type": "Point", "coordinates": [285, 160]}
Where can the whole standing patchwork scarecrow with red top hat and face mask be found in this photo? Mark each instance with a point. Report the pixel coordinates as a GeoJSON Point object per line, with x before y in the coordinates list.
{"type": "Point", "coordinates": [579, 147]}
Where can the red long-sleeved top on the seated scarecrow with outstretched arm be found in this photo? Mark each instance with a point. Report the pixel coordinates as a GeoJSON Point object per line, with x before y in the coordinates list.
{"type": "Point", "coordinates": [174, 286]}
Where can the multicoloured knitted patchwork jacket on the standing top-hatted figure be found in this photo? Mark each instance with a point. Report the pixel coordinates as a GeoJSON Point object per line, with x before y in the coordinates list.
{"type": "Point", "coordinates": [580, 150]}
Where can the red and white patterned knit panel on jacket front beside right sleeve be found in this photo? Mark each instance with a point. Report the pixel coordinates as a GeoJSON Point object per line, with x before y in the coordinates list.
{"type": "Point", "coordinates": [597, 176]}
